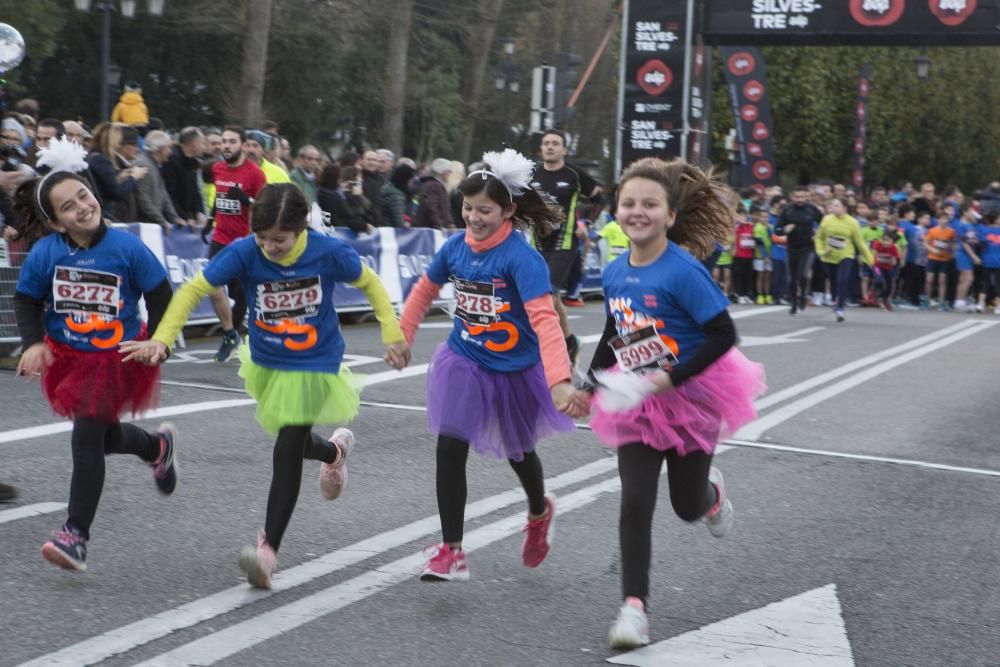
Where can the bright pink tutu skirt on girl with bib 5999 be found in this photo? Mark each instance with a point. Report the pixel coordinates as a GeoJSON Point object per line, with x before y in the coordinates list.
{"type": "Point", "coordinates": [708, 408]}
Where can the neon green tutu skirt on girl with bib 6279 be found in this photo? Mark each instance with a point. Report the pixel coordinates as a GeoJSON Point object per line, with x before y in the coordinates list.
{"type": "Point", "coordinates": [300, 398]}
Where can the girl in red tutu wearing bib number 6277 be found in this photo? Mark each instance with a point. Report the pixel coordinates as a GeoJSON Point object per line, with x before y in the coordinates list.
{"type": "Point", "coordinates": [77, 299]}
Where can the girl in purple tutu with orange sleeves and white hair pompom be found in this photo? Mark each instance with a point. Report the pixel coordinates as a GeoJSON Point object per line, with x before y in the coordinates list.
{"type": "Point", "coordinates": [502, 380]}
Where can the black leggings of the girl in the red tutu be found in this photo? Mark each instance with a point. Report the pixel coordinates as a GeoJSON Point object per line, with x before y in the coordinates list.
{"type": "Point", "coordinates": [91, 440]}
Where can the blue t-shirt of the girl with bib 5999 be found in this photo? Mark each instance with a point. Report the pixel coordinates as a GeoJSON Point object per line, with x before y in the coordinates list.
{"type": "Point", "coordinates": [675, 293]}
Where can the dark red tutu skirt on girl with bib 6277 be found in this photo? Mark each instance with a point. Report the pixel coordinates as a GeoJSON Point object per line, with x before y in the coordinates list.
{"type": "Point", "coordinates": [98, 384]}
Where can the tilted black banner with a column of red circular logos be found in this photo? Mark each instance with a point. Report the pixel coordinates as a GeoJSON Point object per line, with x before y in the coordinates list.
{"type": "Point", "coordinates": [746, 81]}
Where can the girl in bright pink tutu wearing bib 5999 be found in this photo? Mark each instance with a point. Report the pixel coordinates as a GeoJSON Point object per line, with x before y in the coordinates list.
{"type": "Point", "coordinates": [677, 385]}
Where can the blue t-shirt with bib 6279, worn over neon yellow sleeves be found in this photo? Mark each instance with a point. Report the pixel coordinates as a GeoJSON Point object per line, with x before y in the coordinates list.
{"type": "Point", "coordinates": [294, 325]}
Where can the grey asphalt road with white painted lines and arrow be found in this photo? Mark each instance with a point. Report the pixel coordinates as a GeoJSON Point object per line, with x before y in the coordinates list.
{"type": "Point", "coordinates": [866, 501]}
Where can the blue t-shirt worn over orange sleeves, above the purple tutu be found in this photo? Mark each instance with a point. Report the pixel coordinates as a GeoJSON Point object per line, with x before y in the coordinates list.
{"type": "Point", "coordinates": [491, 288]}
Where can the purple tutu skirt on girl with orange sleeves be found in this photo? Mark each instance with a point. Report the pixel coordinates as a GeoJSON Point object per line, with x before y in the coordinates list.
{"type": "Point", "coordinates": [500, 415]}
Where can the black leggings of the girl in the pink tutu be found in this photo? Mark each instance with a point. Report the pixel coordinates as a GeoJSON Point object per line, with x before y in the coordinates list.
{"type": "Point", "coordinates": [691, 495]}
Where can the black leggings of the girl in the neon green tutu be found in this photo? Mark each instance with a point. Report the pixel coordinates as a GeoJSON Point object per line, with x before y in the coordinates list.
{"type": "Point", "coordinates": [294, 444]}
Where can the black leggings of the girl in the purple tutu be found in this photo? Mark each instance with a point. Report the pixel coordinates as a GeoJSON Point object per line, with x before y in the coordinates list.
{"type": "Point", "coordinates": [452, 455]}
